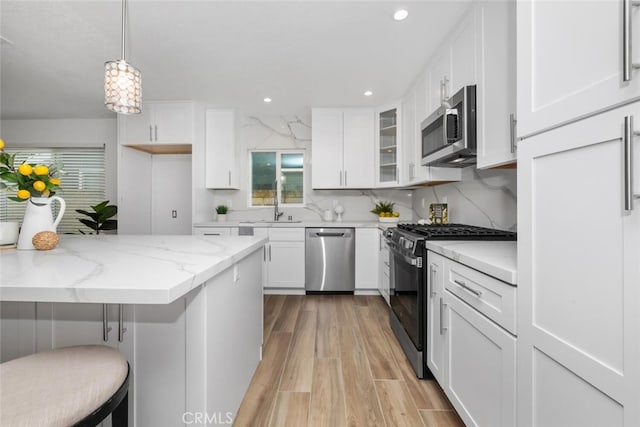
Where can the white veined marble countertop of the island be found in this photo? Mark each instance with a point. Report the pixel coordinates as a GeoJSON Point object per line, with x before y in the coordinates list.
{"type": "Point", "coordinates": [124, 269]}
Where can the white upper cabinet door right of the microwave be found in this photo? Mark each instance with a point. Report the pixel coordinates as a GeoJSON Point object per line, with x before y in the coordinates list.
{"type": "Point", "coordinates": [496, 87]}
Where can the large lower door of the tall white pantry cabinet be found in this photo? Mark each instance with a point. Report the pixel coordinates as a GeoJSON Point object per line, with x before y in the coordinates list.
{"type": "Point", "coordinates": [578, 274]}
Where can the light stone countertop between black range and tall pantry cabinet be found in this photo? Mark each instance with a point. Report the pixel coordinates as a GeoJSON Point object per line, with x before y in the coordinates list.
{"type": "Point", "coordinates": [497, 259]}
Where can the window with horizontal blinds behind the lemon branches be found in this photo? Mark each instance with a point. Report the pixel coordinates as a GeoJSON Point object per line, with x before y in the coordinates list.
{"type": "Point", "coordinates": [83, 183]}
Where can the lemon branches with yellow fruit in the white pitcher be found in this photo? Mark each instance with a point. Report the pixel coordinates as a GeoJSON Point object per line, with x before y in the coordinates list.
{"type": "Point", "coordinates": [27, 179]}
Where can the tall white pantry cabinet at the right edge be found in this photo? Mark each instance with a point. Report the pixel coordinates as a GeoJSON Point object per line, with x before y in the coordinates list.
{"type": "Point", "coordinates": [578, 220]}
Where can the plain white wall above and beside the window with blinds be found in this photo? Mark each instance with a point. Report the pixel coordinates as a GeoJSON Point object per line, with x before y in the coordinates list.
{"type": "Point", "coordinates": [68, 133]}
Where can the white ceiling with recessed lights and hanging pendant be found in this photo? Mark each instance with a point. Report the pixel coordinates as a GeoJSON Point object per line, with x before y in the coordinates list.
{"type": "Point", "coordinates": [225, 53]}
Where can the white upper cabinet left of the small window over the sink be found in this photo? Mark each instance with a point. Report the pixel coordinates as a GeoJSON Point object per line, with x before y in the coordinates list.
{"type": "Point", "coordinates": [221, 168]}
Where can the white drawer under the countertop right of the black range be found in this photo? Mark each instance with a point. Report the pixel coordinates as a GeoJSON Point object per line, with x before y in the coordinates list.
{"type": "Point", "coordinates": [491, 297]}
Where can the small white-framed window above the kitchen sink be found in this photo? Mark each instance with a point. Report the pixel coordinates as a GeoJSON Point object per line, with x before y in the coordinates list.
{"type": "Point", "coordinates": [288, 167]}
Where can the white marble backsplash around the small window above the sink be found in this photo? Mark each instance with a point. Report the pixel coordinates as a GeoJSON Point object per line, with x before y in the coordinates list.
{"type": "Point", "coordinates": [289, 132]}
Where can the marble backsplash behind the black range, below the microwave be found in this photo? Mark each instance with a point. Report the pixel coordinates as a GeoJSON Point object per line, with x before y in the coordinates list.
{"type": "Point", "coordinates": [486, 198]}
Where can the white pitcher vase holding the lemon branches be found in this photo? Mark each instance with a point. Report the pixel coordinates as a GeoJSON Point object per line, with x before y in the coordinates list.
{"type": "Point", "coordinates": [39, 217]}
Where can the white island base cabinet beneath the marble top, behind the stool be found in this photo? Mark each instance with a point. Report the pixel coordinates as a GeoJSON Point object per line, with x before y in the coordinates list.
{"type": "Point", "coordinates": [191, 359]}
